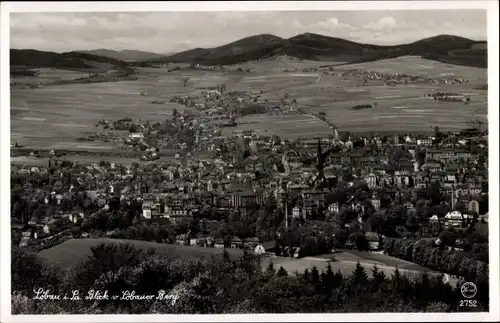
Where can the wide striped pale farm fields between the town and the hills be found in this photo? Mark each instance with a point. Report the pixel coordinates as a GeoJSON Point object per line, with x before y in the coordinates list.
{"type": "Point", "coordinates": [52, 117]}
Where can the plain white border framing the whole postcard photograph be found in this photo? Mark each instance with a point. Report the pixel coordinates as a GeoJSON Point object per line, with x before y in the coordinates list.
{"type": "Point", "coordinates": [491, 6]}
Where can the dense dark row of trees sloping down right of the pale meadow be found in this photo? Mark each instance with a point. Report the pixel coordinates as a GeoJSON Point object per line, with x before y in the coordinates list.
{"type": "Point", "coordinates": [437, 258]}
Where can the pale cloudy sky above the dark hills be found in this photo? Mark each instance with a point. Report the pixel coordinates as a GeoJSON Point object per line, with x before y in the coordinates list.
{"type": "Point", "coordinates": [167, 32]}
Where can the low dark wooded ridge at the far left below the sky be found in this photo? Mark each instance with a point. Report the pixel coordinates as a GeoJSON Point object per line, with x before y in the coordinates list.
{"type": "Point", "coordinates": [29, 58]}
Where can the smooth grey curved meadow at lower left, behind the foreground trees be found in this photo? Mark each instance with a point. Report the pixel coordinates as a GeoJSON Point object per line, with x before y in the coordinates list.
{"type": "Point", "coordinates": [64, 255]}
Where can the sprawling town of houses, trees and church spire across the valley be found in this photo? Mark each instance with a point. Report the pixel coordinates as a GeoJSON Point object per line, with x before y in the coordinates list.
{"type": "Point", "coordinates": [291, 198]}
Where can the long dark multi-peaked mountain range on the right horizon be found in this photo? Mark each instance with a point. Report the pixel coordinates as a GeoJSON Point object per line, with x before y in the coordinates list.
{"type": "Point", "coordinates": [445, 48]}
